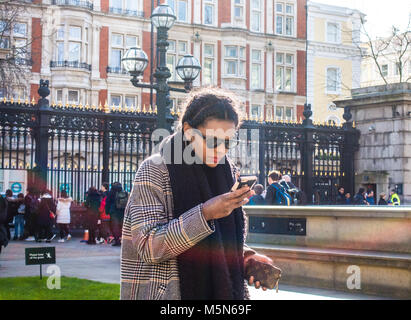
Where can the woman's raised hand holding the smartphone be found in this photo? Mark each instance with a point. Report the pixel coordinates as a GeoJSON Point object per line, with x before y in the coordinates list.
{"type": "Point", "coordinates": [222, 205]}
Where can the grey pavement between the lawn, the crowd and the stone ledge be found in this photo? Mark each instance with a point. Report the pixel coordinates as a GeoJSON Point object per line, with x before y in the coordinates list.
{"type": "Point", "coordinates": [101, 262]}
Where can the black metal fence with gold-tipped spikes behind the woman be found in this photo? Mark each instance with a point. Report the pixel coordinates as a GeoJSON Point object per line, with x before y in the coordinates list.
{"type": "Point", "coordinates": [73, 147]}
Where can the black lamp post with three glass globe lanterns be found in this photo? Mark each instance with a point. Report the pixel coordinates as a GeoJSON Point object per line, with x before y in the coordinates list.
{"type": "Point", "coordinates": [135, 61]}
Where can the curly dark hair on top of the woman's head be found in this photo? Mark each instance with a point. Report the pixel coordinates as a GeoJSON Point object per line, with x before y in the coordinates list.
{"type": "Point", "coordinates": [209, 103]}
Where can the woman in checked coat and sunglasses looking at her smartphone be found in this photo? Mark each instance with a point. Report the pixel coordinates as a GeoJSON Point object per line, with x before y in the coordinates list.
{"type": "Point", "coordinates": [184, 229]}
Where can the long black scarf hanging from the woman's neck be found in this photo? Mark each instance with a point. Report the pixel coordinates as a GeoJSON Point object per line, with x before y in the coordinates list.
{"type": "Point", "coordinates": [213, 269]}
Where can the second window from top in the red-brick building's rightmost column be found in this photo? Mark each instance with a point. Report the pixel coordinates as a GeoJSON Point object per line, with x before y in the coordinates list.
{"type": "Point", "coordinates": [284, 72]}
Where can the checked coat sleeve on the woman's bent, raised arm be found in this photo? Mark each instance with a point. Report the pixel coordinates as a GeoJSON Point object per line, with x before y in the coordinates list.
{"type": "Point", "coordinates": [155, 237]}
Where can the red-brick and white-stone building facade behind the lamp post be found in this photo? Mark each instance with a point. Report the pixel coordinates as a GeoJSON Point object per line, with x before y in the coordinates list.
{"type": "Point", "coordinates": [256, 48]}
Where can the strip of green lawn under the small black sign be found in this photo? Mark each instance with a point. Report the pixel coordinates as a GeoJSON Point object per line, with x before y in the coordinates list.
{"type": "Point", "coordinates": [32, 288]}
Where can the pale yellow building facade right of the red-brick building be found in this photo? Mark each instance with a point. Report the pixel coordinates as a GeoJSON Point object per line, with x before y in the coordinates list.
{"type": "Point", "coordinates": [333, 58]}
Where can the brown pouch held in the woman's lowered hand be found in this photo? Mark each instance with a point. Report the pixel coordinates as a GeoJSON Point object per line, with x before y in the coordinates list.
{"type": "Point", "coordinates": [267, 274]}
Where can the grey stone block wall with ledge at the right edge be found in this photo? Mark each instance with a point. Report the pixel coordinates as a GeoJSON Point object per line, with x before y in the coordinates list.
{"type": "Point", "coordinates": [383, 116]}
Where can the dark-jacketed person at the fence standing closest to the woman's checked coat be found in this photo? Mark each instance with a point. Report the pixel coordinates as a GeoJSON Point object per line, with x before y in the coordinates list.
{"type": "Point", "coordinates": [116, 214]}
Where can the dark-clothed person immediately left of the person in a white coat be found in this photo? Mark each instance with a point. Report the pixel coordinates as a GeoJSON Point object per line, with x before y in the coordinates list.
{"type": "Point", "coordinates": [45, 218]}
